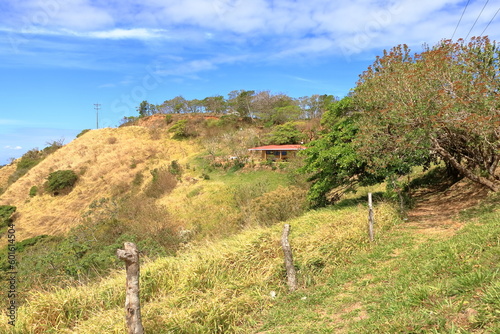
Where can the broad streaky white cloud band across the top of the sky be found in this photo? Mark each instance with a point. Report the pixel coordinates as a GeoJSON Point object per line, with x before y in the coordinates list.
{"type": "Point", "coordinates": [273, 29]}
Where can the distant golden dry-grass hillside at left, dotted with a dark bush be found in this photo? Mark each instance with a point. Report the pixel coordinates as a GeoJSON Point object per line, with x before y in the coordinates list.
{"type": "Point", "coordinates": [106, 162]}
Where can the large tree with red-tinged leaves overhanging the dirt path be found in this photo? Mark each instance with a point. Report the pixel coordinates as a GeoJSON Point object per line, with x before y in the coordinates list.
{"type": "Point", "coordinates": [444, 102]}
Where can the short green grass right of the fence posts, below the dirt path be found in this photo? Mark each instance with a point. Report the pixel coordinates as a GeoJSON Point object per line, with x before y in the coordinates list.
{"type": "Point", "coordinates": [404, 285]}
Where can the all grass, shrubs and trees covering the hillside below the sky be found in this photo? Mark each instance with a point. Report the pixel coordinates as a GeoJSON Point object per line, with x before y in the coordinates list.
{"type": "Point", "coordinates": [207, 215]}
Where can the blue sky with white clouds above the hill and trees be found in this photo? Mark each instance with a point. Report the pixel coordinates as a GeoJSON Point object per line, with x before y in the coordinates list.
{"type": "Point", "coordinates": [59, 57]}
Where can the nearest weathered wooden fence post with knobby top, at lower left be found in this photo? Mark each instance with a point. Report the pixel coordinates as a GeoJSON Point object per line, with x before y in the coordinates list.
{"type": "Point", "coordinates": [130, 255]}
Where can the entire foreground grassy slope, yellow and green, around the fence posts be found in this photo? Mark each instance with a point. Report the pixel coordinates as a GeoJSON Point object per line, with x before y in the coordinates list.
{"type": "Point", "coordinates": [401, 284]}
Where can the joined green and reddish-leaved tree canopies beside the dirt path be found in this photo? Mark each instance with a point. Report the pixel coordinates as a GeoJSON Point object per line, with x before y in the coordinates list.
{"type": "Point", "coordinates": [411, 110]}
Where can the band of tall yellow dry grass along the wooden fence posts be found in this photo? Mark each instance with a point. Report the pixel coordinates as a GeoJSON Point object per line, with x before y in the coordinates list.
{"type": "Point", "coordinates": [220, 287]}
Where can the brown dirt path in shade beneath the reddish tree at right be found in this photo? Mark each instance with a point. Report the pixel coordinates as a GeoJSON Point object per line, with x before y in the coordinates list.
{"type": "Point", "coordinates": [435, 211]}
